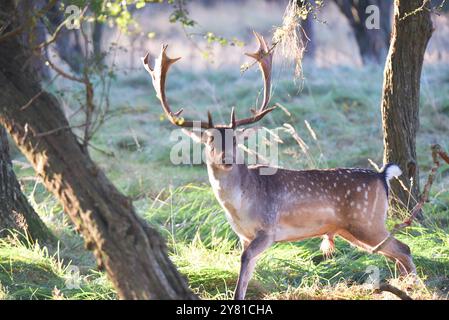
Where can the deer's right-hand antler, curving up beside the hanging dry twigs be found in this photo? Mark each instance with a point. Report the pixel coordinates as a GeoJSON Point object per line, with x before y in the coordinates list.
{"type": "Point", "coordinates": [264, 57]}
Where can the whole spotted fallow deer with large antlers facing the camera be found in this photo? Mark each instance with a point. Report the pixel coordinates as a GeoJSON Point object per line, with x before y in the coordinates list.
{"type": "Point", "coordinates": [290, 205]}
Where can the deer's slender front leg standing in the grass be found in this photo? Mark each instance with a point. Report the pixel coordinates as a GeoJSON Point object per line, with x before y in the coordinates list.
{"type": "Point", "coordinates": [248, 261]}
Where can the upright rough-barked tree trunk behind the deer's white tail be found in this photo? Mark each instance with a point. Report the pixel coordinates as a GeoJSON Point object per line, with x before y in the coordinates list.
{"type": "Point", "coordinates": [400, 101]}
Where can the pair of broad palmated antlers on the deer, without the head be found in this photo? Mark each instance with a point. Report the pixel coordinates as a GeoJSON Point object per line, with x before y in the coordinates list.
{"type": "Point", "coordinates": [158, 74]}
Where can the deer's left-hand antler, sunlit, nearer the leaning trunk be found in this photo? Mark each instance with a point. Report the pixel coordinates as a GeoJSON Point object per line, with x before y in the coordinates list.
{"type": "Point", "coordinates": [158, 76]}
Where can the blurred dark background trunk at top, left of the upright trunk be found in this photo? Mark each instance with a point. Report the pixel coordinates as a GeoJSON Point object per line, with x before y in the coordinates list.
{"type": "Point", "coordinates": [372, 43]}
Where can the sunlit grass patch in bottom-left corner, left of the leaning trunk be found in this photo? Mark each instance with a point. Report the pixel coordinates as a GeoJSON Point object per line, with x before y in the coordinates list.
{"type": "Point", "coordinates": [28, 271]}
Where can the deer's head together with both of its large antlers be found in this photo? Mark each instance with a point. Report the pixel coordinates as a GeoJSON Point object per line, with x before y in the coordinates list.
{"type": "Point", "coordinates": [219, 139]}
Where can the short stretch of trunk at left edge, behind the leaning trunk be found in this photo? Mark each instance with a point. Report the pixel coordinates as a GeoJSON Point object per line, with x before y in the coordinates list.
{"type": "Point", "coordinates": [16, 214]}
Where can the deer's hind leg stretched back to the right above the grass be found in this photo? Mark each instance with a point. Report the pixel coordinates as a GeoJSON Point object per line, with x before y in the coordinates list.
{"type": "Point", "coordinates": [394, 249]}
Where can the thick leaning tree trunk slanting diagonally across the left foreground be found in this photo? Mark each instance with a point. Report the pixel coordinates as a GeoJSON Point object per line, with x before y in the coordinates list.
{"type": "Point", "coordinates": [133, 254]}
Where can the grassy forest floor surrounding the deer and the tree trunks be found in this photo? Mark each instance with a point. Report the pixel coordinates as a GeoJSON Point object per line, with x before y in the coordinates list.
{"type": "Point", "coordinates": [341, 106]}
